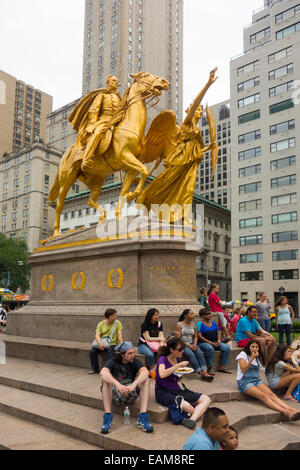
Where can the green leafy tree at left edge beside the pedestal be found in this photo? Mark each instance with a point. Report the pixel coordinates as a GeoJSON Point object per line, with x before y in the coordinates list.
{"type": "Point", "coordinates": [13, 260]}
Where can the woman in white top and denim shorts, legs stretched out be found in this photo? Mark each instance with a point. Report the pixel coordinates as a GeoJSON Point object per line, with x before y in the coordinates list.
{"type": "Point", "coordinates": [249, 362]}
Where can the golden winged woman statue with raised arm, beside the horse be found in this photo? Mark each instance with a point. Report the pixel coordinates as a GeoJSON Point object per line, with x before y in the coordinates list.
{"type": "Point", "coordinates": [181, 148]}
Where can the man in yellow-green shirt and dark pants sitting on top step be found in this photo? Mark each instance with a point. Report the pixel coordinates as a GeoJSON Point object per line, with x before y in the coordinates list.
{"type": "Point", "coordinates": [108, 336]}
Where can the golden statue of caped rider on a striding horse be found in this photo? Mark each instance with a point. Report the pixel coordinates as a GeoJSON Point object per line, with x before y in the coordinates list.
{"type": "Point", "coordinates": [110, 139]}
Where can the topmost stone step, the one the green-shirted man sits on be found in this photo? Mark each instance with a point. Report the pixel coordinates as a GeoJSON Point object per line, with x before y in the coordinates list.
{"type": "Point", "coordinates": [71, 353]}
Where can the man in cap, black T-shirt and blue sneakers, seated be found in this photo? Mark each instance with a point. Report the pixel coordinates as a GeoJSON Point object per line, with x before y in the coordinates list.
{"type": "Point", "coordinates": [124, 378]}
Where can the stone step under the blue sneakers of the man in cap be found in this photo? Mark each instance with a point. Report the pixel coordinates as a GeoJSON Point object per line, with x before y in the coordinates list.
{"type": "Point", "coordinates": [82, 422]}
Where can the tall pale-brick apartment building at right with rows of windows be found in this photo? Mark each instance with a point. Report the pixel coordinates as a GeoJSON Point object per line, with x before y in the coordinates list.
{"type": "Point", "coordinates": [265, 123]}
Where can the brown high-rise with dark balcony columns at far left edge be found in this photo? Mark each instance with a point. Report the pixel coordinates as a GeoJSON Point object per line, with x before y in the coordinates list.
{"type": "Point", "coordinates": [23, 111]}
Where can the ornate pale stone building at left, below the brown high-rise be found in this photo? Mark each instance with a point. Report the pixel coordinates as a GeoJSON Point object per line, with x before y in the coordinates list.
{"type": "Point", "coordinates": [26, 177]}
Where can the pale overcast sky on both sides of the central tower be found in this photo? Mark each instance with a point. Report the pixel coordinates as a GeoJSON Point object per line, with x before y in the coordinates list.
{"type": "Point", "coordinates": [42, 44]}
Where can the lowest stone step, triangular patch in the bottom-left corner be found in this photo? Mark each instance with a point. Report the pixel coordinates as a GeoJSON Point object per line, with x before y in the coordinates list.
{"type": "Point", "coordinates": [17, 434]}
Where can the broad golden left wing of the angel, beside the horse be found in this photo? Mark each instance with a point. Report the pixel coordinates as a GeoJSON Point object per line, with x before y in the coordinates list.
{"type": "Point", "coordinates": [160, 137]}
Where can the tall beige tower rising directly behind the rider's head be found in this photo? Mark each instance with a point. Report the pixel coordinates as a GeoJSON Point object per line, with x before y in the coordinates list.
{"type": "Point", "coordinates": [126, 36]}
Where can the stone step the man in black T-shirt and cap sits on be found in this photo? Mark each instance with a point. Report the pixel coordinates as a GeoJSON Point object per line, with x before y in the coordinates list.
{"type": "Point", "coordinates": [76, 386]}
